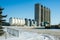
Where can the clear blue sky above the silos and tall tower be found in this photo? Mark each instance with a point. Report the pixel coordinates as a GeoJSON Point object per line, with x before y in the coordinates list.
{"type": "Point", "coordinates": [25, 8]}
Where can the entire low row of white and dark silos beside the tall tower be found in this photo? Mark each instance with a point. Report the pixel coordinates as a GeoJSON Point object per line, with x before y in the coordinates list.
{"type": "Point", "coordinates": [22, 22]}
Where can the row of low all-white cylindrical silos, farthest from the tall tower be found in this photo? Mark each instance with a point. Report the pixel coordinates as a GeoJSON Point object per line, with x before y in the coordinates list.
{"type": "Point", "coordinates": [16, 21]}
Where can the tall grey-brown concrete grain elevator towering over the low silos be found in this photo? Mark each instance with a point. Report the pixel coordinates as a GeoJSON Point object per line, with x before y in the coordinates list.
{"type": "Point", "coordinates": [42, 15]}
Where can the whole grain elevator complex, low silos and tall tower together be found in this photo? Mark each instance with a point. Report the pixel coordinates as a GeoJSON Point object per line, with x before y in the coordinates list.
{"type": "Point", "coordinates": [42, 18]}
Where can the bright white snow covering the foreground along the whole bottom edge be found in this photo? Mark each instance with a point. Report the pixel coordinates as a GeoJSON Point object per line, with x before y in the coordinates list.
{"type": "Point", "coordinates": [28, 36]}
